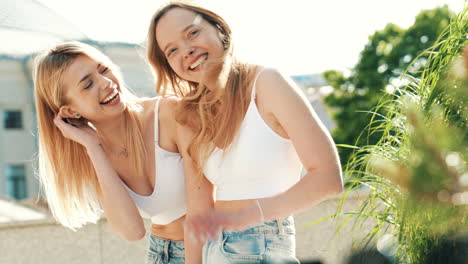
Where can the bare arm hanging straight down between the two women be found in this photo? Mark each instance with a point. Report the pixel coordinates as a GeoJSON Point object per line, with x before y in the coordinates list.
{"type": "Point", "coordinates": [200, 202]}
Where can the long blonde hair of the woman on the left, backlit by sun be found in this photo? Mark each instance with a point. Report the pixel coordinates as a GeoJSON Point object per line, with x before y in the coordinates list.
{"type": "Point", "coordinates": [66, 173]}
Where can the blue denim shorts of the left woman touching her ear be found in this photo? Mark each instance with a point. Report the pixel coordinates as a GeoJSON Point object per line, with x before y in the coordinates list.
{"type": "Point", "coordinates": [165, 251]}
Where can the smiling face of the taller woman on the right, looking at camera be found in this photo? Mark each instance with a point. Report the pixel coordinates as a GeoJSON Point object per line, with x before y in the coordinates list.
{"type": "Point", "coordinates": [190, 44]}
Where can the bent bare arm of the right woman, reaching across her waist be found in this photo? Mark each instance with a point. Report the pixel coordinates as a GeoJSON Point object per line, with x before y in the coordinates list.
{"type": "Point", "coordinates": [284, 100]}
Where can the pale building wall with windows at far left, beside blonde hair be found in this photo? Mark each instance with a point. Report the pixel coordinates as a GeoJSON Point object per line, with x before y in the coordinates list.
{"type": "Point", "coordinates": [17, 143]}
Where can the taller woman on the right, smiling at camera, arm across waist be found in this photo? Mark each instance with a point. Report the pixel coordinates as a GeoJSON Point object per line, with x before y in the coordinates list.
{"type": "Point", "coordinates": [247, 133]}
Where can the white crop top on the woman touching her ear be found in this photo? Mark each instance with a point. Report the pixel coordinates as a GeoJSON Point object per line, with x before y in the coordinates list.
{"type": "Point", "coordinates": [167, 202]}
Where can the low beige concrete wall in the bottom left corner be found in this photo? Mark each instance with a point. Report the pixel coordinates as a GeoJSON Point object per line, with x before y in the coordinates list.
{"type": "Point", "coordinates": [47, 242]}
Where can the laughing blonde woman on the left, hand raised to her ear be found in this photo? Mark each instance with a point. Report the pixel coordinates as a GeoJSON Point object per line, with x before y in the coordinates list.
{"type": "Point", "coordinates": [100, 147]}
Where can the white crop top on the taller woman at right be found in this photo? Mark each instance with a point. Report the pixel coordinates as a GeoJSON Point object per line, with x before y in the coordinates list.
{"type": "Point", "coordinates": [259, 163]}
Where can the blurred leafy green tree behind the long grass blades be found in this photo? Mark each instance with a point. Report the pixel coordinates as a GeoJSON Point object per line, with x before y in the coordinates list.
{"type": "Point", "coordinates": [386, 56]}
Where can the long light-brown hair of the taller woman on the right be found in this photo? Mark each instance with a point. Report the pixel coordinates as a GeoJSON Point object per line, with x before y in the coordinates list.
{"type": "Point", "coordinates": [214, 116]}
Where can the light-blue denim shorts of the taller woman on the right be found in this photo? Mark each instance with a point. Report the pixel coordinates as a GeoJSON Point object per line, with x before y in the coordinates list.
{"type": "Point", "coordinates": [270, 242]}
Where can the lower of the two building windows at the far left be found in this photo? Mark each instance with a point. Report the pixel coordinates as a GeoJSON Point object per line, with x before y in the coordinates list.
{"type": "Point", "coordinates": [16, 181]}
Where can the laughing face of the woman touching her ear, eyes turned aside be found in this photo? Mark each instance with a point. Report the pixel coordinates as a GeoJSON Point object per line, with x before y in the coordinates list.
{"type": "Point", "coordinates": [91, 90]}
